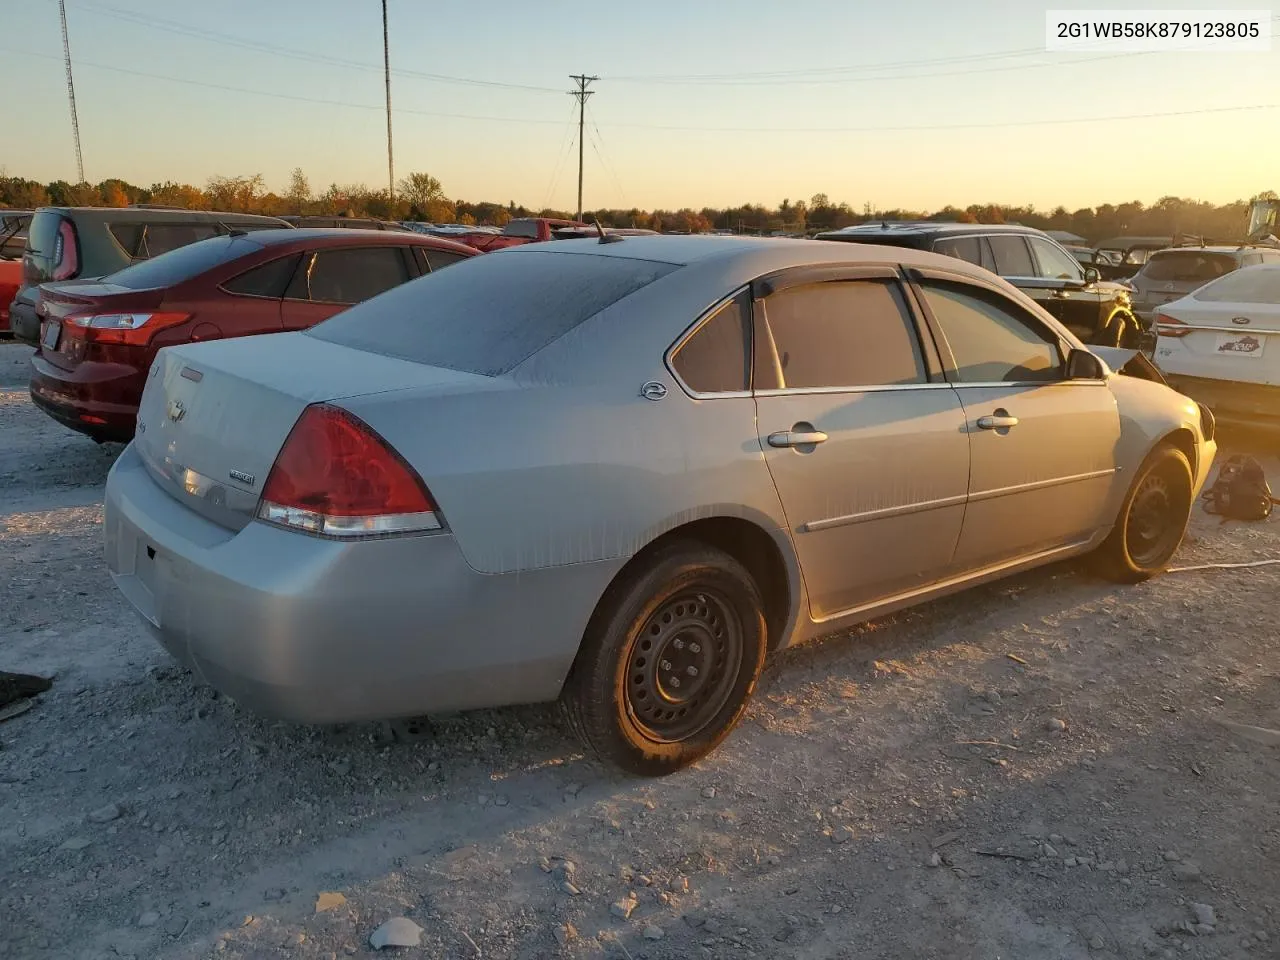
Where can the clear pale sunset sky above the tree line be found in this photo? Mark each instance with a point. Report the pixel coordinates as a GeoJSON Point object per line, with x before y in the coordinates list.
{"type": "Point", "coordinates": [913, 104]}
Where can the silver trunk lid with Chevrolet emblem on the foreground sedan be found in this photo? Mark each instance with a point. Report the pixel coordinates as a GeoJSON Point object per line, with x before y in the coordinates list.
{"type": "Point", "coordinates": [216, 415]}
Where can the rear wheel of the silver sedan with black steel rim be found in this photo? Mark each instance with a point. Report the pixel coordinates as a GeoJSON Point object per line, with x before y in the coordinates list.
{"type": "Point", "coordinates": [669, 661]}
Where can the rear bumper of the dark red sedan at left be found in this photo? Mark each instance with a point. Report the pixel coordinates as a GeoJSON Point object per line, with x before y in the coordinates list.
{"type": "Point", "coordinates": [95, 399]}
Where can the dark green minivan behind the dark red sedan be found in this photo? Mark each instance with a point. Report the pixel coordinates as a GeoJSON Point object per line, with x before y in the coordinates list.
{"type": "Point", "coordinates": [67, 244]}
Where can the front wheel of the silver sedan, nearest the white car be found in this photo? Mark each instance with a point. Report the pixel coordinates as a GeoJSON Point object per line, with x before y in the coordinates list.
{"type": "Point", "coordinates": [1153, 519]}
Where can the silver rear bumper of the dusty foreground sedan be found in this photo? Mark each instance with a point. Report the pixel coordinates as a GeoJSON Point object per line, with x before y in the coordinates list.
{"type": "Point", "coordinates": [322, 632]}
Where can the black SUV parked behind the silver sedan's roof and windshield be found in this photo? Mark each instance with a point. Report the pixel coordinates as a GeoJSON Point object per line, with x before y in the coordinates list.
{"type": "Point", "coordinates": [1094, 310]}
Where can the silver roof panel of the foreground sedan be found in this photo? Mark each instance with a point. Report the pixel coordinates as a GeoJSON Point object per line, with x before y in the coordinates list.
{"type": "Point", "coordinates": [762, 254]}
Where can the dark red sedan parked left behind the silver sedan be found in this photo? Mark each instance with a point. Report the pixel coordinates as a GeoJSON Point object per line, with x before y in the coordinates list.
{"type": "Point", "coordinates": [98, 339]}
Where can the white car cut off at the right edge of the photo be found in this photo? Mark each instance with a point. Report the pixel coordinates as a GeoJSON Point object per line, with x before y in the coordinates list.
{"type": "Point", "coordinates": [1222, 345]}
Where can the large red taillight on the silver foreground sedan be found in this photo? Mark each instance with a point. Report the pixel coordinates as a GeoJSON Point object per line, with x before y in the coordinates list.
{"type": "Point", "coordinates": [337, 478]}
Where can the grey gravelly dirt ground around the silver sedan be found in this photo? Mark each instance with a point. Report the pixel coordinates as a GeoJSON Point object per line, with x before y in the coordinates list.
{"type": "Point", "coordinates": [1041, 770]}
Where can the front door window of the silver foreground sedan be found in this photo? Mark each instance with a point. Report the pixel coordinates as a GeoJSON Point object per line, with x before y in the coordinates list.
{"type": "Point", "coordinates": [991, 339]}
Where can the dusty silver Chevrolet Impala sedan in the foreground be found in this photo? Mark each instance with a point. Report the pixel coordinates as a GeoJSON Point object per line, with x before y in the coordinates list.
{"type": "Point", "coordinates": [621, 474]}
